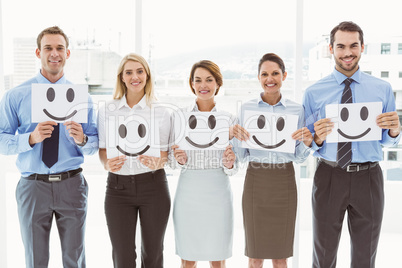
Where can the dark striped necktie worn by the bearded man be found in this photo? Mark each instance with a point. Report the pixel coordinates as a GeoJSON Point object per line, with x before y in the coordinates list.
{"type": "Point", "coordinates": [344, 153]}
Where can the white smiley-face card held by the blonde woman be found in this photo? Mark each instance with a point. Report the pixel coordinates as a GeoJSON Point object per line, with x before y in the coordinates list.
{"type": "Point", "coordinates": [132, 135]}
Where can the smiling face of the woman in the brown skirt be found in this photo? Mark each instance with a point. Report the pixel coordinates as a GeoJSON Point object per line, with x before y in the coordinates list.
{"type": "Point", "coordinates": [271, 78]}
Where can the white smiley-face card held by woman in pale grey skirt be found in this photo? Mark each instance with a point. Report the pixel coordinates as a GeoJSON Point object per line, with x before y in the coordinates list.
{"type": "Point", "coordinates": [201, 130]}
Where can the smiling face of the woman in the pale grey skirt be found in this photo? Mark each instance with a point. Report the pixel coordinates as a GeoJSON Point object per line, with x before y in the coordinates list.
{"type": "Point", "coordinates": [204, 85]}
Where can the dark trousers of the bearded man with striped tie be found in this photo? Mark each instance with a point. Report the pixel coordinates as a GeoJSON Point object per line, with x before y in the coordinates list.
{"type": "Point", "coordinates": [361, 194]}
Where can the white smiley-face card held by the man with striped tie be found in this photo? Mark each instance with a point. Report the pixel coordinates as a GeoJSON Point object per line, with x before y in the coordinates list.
{"type": "Point", "coordinates": [354, 121]}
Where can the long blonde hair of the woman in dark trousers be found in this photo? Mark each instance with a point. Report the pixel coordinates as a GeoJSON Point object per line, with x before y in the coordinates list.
{"type": "Point", "coordinates": [121, 89]}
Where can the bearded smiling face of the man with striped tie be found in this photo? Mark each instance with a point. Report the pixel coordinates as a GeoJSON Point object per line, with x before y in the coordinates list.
{"type": "Point", "coordinates": [347, 51]}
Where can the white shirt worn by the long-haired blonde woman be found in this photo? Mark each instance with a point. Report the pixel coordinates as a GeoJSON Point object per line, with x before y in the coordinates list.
{"type": "Point", "coordinates": [119, 106]}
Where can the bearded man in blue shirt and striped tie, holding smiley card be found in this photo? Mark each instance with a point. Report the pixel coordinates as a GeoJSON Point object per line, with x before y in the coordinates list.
{"type": "Point", "coordinates": [348, 176]}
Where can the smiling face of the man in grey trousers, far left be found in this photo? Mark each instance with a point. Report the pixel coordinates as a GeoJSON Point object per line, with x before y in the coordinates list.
{"type": "Point", "coordinates": [53, 55]}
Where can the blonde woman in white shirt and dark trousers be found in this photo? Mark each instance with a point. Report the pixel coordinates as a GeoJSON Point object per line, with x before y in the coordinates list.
{"type": "Point", "coordinates": [142, 193]}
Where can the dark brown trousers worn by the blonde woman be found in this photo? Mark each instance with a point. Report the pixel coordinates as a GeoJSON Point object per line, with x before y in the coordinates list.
{"type": "Point", "coordinates": [127, 197]}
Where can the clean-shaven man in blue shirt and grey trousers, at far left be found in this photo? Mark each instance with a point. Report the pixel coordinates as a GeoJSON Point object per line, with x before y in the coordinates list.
{"type": "Point", "coordinates": [48, 189]}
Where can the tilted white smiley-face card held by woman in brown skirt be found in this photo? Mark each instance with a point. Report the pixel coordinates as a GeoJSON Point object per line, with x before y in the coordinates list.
{"type": "Point", "coordinates": [270, 131]}
